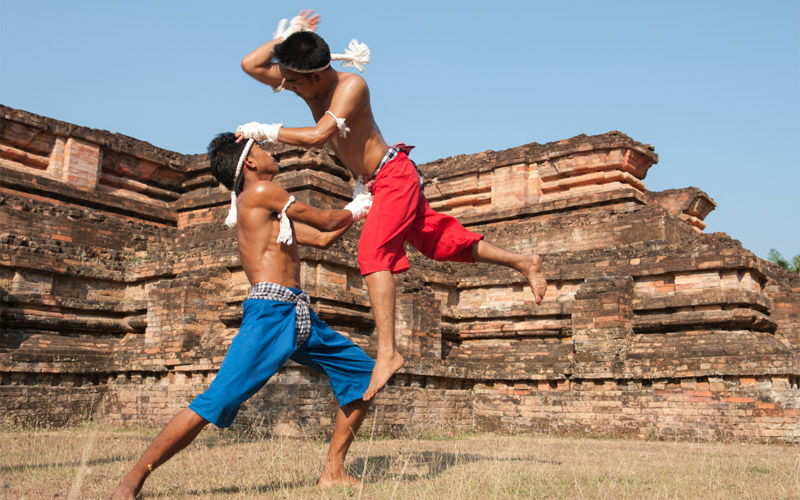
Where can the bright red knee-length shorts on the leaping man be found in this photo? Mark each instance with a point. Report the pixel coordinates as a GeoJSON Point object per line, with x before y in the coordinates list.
{"type": "Point", "coordinates": [401, 213]}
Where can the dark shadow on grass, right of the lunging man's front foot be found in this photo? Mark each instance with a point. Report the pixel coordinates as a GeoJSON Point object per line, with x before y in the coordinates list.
{"type": "Point", "coordinates": [428, 463]}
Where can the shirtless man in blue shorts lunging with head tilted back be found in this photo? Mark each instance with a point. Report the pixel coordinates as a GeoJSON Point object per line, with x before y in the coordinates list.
{"type": "Point", "coordinates": [277, 323]}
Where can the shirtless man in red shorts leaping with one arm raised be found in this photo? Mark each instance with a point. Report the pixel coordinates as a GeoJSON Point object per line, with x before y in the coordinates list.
{"type": "Point", "coordinates": [299, 60]}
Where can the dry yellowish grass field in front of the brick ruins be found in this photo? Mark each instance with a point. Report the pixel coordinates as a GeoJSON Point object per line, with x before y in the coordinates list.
{"type": "Point", "coordinates": [86, 462]}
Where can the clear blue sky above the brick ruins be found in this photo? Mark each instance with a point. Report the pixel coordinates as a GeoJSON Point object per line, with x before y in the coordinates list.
{"type": "Point", "coordinates": [714, 85]}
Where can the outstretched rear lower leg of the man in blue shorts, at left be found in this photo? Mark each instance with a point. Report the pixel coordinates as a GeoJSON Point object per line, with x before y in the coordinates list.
{"type": "Point", "coordinates": [179, 432]}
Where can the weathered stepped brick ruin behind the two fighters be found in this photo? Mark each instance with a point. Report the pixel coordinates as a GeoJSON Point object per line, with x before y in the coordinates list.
{"type": "Point", "coordinates": [121, 289]}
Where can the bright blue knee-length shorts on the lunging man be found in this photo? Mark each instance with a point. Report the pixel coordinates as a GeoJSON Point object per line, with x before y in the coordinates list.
{"type": "Point", "coordinates": [266, 340]}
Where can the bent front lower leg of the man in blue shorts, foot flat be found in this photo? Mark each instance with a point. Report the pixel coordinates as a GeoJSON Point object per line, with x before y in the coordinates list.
{"type": "Point", "coordinates": [348, 421]}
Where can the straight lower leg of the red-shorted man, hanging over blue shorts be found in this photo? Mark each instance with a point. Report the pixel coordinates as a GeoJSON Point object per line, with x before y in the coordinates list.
{"type": "Point", "coordinates": [382, 298]}
